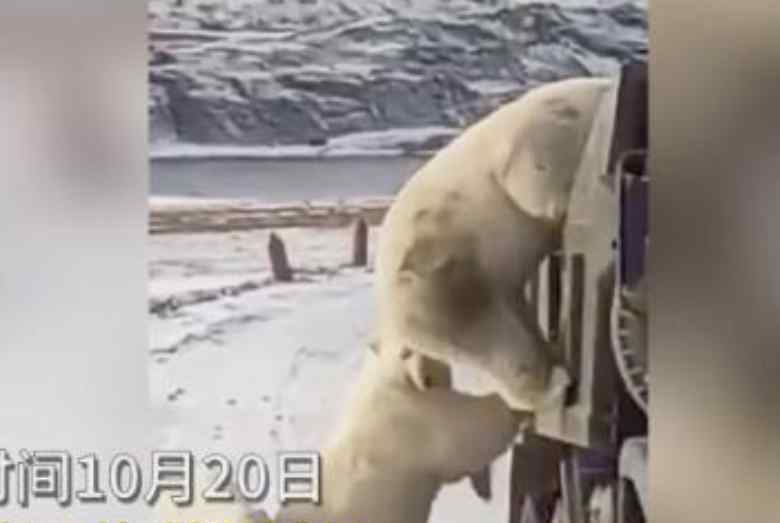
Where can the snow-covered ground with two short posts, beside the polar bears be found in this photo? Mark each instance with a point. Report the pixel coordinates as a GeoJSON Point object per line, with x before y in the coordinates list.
{"type": "Point", "coordinates": [239, 363]}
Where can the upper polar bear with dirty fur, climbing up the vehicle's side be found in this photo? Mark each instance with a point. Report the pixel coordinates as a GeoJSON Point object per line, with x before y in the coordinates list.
{"type": "Point", "coordinates": [470, 227]}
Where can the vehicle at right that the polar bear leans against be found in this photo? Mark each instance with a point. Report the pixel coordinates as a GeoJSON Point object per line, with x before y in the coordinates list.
{"type": "Point", "coordinates": [586, 461]}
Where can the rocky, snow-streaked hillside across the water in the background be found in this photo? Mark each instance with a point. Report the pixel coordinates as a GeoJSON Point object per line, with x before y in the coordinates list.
{"type": "Point", "coordinates": [302, 72]}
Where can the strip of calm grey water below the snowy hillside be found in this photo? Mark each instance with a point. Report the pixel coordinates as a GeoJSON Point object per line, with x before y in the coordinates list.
{"type": "Point", "coordinates": [275, 181]}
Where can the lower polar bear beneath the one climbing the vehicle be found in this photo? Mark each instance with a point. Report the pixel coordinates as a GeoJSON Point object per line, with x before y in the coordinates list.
{"type": "Point", "coordinates": [398, 444]}
